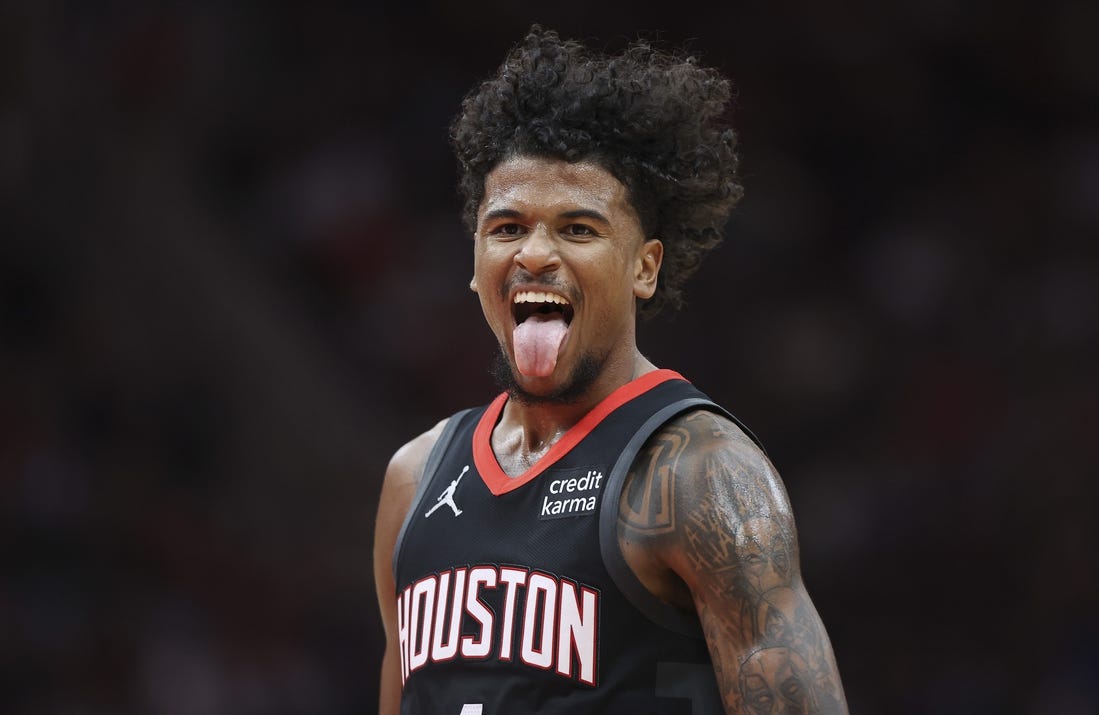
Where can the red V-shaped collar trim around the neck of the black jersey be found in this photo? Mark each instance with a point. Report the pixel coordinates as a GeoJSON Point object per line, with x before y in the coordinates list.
{"type": "Point", "coordinates": [499, 483]}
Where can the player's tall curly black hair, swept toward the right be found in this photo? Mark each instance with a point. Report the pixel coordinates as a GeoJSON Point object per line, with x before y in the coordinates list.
{"type": "Point", "coordinates": [651, 118]}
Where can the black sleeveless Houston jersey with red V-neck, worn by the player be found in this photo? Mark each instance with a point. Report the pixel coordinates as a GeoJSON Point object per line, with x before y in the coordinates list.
{"type": "Point", "coordinates": [513, 594]}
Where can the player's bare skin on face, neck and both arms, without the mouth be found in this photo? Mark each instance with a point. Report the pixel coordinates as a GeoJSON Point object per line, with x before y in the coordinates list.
{"type": "Point", "coordinates": [704, 521]}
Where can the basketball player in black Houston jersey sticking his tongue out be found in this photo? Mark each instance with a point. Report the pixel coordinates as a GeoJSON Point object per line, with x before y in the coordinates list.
{"type": "Point", "coordinates": [601, 539]}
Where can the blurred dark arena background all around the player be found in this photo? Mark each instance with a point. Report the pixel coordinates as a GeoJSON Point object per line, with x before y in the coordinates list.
{"type": "Point", "coordinates": [234, 282]}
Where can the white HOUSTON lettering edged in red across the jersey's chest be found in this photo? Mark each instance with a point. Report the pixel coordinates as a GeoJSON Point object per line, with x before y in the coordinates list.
{"type": "Point", "coordinates": [556, 619]}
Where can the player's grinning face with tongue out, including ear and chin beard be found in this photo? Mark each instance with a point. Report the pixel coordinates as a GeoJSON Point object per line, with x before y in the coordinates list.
{"type": "Point", "coordinates": [560, 259]}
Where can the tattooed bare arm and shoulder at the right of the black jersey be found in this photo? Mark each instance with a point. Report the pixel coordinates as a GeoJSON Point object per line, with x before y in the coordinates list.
{"type": "Point", "coordinates": [706, 526]}
